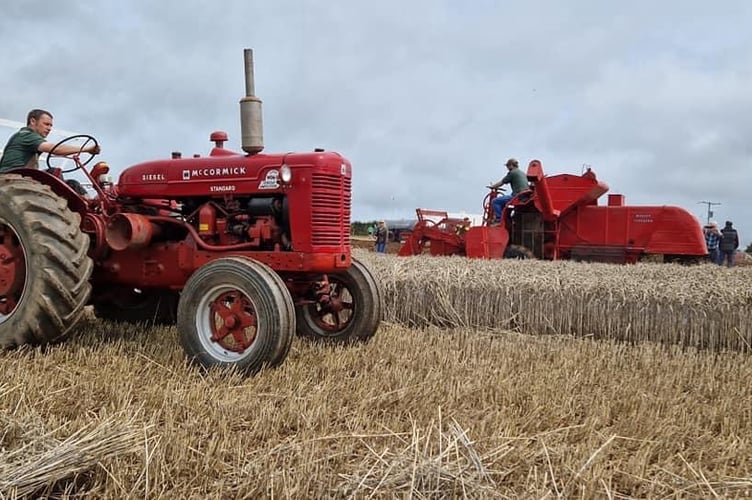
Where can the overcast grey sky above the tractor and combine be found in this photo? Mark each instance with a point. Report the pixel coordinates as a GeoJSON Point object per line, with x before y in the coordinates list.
{"type": "Point", "coordinates": [427, 98]}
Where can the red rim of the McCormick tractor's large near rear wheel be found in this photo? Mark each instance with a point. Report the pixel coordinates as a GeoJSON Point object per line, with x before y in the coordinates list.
{"type": "Point", "coordinates": [12, 269]}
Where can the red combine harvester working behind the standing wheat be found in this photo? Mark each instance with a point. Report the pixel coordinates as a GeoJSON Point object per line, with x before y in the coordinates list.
{"type": "Point", "coordinates": [559, 217]}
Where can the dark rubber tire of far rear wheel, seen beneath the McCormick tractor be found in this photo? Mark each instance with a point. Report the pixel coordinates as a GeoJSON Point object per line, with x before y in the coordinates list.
{"type": "Point", "coordinates": [156, 307]}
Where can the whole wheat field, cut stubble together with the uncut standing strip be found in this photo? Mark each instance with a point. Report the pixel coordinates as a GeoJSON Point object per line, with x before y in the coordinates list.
{"type": "Point", "coordinates": [466, 391]}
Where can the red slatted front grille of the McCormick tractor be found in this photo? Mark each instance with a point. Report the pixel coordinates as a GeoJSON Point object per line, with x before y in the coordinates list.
{"type": "Point", "coordinates": [330, 210]}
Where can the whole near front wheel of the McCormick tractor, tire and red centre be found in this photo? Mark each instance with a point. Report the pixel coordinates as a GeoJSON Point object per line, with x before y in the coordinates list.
{"type": "Point", "coordinates": [236, 312]}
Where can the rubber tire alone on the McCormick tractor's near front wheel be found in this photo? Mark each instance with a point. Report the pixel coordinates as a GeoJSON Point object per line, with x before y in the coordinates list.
{"type": "Point", "coordinates": [272, 302]}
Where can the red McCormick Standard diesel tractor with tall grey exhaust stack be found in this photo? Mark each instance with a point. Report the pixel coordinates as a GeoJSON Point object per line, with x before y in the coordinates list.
{"type": "Point", "coordinates": [240, 250]}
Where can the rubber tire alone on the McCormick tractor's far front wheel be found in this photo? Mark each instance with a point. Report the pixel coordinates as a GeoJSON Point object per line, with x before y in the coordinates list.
{"type": "Point", "coordinates": [367, 309]}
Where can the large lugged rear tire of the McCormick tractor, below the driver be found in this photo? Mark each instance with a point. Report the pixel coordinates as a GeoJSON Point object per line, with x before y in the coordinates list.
{"type": "Point", "coordinates": [57, 265]}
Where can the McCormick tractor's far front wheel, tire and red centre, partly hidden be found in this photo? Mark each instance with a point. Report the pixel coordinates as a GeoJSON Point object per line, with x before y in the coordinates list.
{"type": "Point", "coordinates": [352, 312]}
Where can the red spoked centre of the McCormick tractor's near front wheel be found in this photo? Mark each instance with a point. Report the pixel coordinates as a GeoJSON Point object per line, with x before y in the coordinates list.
{"type": "Point", "coordinates": [233, 322]}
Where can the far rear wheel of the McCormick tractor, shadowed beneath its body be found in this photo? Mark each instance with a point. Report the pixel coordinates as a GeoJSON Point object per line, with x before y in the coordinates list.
{"type": "Point", "coordinates": [131, 305]}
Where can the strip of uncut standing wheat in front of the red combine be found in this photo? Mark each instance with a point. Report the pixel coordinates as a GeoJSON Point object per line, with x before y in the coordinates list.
{"type": "Point", "coordinates": [700, 306]}
